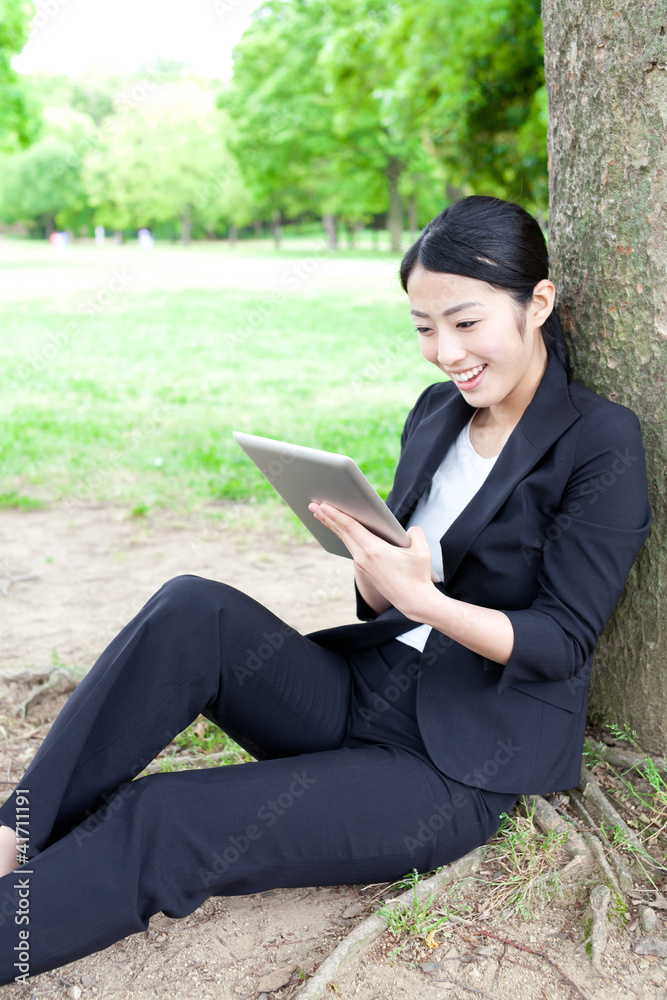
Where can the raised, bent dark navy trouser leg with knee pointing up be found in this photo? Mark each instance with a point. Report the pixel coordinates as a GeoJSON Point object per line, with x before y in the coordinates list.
{"type": "Point", "coordinates": [197, 646]}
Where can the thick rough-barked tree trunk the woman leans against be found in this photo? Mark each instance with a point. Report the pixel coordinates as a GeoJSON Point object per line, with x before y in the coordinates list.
{"type": "Point", "coordinates": [607, 85]}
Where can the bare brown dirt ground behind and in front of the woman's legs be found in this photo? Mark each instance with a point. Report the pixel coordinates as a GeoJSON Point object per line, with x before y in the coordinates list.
{"type": "Point", "coordinates": [70, 577]}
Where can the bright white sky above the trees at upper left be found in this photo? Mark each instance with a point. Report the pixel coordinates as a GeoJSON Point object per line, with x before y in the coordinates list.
{"type": "Point", "coordinates": [112, 36]}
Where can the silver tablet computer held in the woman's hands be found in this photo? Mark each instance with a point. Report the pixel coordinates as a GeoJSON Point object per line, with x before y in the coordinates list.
{"type": "Point", "coordinates": [302, 475]}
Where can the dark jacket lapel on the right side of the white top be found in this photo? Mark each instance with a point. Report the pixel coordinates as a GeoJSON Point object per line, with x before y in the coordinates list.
{"type": "Point", "coordinates": [545, 419]}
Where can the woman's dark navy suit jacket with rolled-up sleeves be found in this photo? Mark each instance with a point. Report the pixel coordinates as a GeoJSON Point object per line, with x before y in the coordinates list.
{"type": "Point", "coordinates": [549, 539]}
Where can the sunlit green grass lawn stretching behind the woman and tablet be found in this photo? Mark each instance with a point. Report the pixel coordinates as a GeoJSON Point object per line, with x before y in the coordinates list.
{"type": "Point", "coordinates": [136, 402]}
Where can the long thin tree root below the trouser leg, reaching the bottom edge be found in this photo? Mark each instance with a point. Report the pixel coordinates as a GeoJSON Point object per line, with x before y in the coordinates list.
{"type": "Point", "coordinates": [366, 932]}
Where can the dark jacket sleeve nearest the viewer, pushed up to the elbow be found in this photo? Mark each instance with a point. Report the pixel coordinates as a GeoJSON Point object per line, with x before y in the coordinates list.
{"type": "Point", "coordinates": [603, 520]}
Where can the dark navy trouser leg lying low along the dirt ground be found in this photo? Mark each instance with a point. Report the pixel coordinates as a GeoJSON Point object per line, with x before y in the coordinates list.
{"type": "Point", "coordinates": [168, 841]}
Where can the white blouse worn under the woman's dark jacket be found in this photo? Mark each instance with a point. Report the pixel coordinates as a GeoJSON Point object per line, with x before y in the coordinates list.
{"type": "Point", "coordinates": [454, 484]}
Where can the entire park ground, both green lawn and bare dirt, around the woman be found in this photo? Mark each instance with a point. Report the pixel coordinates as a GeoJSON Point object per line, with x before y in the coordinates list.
{"type": "Point", "coordinates": [91, 527]}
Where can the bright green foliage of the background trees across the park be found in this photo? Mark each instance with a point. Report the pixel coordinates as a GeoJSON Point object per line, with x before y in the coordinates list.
{"type": "Point", "coordinates": [338, 108]}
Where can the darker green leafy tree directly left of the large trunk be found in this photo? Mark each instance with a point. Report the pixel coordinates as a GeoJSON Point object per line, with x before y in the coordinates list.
{"type": "Point", "coordinates": [470, 81]}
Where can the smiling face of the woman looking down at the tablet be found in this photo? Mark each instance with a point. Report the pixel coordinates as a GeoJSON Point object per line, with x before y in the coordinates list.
{"type": "Point", "coordinates": [471, 331]}
